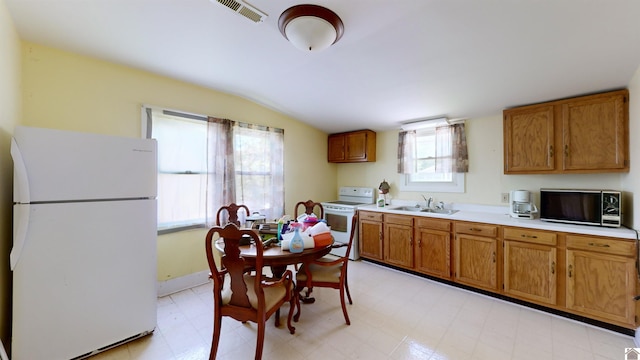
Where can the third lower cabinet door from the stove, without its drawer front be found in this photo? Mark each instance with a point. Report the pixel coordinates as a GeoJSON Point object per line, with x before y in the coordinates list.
{"type": "Point", "coordinates": [433, 252]}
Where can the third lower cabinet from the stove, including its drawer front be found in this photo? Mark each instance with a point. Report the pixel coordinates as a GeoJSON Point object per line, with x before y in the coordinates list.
{"type": "Point", "coordinates": [433, 247]}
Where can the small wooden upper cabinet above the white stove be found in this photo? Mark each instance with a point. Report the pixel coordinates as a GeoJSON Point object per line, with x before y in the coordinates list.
{"type": "Point", "coordinates": [355, 146]}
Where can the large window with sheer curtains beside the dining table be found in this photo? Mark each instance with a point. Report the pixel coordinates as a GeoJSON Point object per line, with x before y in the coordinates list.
{"type": "Point", "coordinates": [205, 163]}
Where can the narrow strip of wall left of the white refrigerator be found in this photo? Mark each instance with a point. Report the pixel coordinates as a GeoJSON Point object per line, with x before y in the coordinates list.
{"type": "Point", "coordinates": [9, 117]}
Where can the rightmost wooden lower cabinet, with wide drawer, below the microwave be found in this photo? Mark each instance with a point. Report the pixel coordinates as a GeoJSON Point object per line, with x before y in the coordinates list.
{"type": "Point", "coordinates": [601, 278]}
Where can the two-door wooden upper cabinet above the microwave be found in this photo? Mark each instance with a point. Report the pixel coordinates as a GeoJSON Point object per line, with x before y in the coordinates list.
{"type": "Point", "coordinates": [587, 134]}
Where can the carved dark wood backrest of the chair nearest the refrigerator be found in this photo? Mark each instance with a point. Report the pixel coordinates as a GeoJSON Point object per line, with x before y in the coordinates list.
{"type": "Point", "coordinates": [235, 266]}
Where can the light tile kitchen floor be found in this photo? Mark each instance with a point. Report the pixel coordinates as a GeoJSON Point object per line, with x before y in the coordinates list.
{"type": "Point", "coordinates": [394, 316]}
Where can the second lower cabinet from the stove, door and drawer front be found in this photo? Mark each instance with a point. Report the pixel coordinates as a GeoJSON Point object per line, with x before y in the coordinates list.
{"type": "Point", "coordinates": [398, 240]}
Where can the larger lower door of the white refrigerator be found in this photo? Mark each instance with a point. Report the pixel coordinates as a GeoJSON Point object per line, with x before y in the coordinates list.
{"type": "Point", "coordinates": [85, 278]}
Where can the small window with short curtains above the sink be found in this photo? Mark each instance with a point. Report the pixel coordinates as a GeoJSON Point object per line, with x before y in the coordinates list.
{"type": "Point", "coordinates": [427, 159]}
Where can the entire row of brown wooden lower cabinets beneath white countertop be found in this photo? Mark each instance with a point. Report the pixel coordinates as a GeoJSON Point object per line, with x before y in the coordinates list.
{"type": "Point", "coordinates": [585, 275]}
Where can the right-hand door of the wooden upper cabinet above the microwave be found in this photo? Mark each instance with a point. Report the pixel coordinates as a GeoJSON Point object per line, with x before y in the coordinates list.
{"type": "Point", "coordinates": [595, 135]}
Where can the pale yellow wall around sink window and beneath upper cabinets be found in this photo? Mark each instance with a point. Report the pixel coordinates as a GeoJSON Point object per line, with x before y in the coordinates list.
{"type": "Point", "coordinates": [485, 180]}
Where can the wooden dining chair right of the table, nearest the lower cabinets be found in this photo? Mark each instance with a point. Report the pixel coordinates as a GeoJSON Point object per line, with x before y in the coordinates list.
{"type": "Point", "coordinates": [329, 272]}
